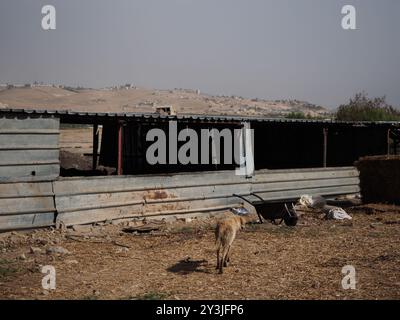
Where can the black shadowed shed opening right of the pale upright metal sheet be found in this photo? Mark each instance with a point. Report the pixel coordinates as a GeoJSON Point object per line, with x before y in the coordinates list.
{"type": "Point", "coordinates": [283, 145]}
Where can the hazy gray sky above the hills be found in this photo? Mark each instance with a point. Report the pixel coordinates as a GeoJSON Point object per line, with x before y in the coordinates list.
{"type": "Point", "coordinates": [254, 48]}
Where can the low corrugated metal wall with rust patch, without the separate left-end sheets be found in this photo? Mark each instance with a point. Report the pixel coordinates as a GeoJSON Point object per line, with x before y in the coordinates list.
{"type": "Point", "coordinates": [97, 199]}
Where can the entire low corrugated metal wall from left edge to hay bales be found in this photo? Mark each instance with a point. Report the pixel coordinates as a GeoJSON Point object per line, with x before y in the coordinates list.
{"type": "Point", "coordinates": [92, 199]}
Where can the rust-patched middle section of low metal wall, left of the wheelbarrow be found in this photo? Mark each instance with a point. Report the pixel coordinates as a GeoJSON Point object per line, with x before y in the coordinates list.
{"type": "Point", "coordinates": [105, 198]}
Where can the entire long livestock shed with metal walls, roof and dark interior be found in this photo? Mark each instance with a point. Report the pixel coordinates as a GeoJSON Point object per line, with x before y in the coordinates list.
{"type": "Point", "coordinates": [290, 158]}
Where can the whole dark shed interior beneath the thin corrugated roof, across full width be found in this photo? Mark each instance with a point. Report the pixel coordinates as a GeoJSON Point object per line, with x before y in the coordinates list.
{"type": "Point", "coordinates": [278, 143]}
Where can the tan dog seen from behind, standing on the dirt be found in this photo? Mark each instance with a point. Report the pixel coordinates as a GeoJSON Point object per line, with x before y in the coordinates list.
{"type": "Point", "coordinates": [225, 233]}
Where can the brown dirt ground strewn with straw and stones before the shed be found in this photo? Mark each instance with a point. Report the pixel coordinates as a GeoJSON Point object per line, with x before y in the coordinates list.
{"type": "Point", "coordinates": [178, 261]}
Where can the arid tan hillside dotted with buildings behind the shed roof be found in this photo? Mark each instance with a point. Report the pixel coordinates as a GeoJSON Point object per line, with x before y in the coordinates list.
{"type": "Point", "coordinates": [132, 99]}
